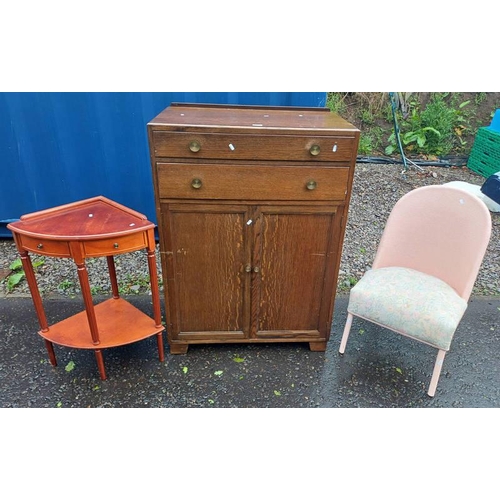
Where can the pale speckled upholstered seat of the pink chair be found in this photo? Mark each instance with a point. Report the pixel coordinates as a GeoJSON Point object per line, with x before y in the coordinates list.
{"type": "Point", "coordinates": [409, 302]}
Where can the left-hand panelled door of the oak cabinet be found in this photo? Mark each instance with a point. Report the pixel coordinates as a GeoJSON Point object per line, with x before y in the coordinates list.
{"type": "Point", "coordinates": [208, 288]}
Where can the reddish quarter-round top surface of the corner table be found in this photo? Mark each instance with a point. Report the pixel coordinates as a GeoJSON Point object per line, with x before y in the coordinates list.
{"type": "Point", "coordinates": [93, 218]}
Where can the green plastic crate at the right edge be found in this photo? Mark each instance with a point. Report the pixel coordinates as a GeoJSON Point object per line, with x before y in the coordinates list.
{"type": "Point", "coordinates": [484, 157]}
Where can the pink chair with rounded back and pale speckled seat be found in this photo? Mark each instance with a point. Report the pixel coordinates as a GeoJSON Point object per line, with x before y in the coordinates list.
{"type": "Point", "coordinates": [425, 267]}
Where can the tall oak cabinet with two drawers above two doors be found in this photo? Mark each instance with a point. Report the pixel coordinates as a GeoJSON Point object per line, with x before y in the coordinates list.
{"type": "Point", "coordinates": [251, 218]}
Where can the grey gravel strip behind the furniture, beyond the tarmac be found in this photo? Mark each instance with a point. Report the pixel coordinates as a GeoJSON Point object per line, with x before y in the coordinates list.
{"type": "Point", "coordinates": [376, 188]}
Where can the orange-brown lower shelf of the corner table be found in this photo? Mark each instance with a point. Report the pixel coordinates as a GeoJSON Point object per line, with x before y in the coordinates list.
{"type": "Point", "coordinates": [118, 321]}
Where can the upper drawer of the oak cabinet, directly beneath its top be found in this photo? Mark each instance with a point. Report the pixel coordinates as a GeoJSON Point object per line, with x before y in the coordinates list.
{"type": "Point", "coordinates": [192, 145]}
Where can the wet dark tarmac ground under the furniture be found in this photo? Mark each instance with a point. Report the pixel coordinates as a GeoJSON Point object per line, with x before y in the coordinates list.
{"type": "Point", "coordinates": [379, 369]}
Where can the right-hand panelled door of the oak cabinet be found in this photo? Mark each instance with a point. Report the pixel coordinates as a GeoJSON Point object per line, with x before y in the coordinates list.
{"type": "Point", "coordinates": [294, 254]}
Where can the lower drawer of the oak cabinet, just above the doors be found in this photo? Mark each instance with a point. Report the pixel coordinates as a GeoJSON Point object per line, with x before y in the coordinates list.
{"type": "Point", "coordinates": [218, 182]}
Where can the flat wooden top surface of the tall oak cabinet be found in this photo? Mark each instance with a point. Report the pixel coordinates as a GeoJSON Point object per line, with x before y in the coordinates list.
{"type": "Point", "coordinates": [182, 116]}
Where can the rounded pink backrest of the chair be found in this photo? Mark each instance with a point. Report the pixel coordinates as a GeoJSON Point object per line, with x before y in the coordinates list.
{"type": "Point", "coordinates": [438, 230]}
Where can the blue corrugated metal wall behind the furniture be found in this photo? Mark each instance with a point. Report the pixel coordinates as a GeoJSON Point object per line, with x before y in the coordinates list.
{"type": "Point", "coordinates": [57, 148]}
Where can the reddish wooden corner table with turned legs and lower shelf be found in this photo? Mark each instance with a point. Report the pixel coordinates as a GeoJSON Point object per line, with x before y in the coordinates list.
{"type": "Point", "coordinates": [95, 227]}
